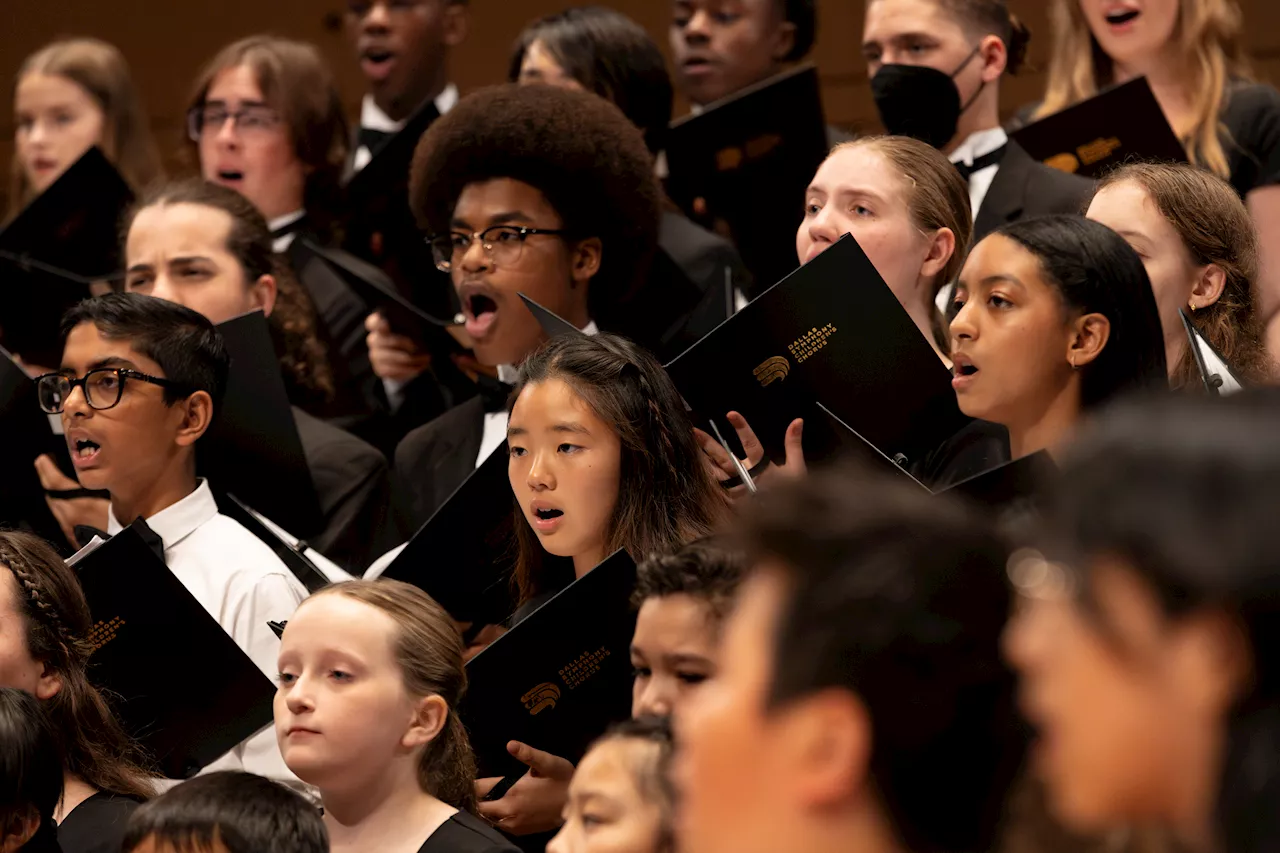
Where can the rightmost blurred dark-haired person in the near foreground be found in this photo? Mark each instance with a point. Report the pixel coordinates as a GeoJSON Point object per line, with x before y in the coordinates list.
{"type": "Point", "coordinates": [1146, 636]}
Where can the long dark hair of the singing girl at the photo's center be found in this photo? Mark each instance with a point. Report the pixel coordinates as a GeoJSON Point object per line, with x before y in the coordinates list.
{"type": "Point", "coordinates": [666, 496]}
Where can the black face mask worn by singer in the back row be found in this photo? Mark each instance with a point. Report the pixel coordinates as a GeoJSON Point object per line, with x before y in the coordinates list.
{"type": "Point", "coordinates": [921, 102]}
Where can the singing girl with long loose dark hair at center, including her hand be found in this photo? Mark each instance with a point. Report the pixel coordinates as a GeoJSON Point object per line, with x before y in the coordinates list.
{"type": "Point", "coordinates": [602, 458]}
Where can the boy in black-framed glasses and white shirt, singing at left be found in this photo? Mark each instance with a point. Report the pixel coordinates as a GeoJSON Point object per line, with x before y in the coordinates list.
{"type": "Point", "coordinates": [140, 384]}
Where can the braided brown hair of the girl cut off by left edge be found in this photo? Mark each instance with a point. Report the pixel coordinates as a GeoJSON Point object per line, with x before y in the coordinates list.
{"type": "Point", "coordinates": [57, 622]}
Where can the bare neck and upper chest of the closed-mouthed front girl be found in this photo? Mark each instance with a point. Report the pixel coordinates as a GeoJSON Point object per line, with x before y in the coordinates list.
{"type": "Point", "coordinates": [388, 813]}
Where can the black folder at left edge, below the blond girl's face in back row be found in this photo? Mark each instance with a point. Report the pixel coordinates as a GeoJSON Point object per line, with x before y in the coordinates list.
{"type": "Point", "coordinates": [66, 239]}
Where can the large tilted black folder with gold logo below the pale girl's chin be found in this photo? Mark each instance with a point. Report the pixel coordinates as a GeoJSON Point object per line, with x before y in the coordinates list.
{"type": "Point", "coordinates": [830, 334]}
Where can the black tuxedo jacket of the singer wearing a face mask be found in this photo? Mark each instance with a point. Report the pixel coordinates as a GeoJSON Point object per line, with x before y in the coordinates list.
{"type": "Point", "coordinates": [1025, 188]}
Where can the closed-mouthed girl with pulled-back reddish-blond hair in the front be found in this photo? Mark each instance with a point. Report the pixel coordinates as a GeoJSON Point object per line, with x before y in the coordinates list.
{"type": "Point", "coordinates": [371, 678]}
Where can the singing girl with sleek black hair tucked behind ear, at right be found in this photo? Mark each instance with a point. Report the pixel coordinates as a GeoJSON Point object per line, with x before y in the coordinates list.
{"type": "Point", "coordinates": [1055, 318]}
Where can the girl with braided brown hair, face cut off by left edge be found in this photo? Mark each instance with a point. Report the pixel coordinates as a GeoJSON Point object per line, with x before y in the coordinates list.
{"type": "Point", "coordinates": [44, 650]}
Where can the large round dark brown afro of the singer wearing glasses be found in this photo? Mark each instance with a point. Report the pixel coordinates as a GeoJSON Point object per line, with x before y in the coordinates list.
{"type": "Point", "coordinates": [579, 150]}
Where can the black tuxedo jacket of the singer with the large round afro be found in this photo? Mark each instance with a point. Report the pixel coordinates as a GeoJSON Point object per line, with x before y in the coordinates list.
{"type": "Point", "coordinates": [433, 460]}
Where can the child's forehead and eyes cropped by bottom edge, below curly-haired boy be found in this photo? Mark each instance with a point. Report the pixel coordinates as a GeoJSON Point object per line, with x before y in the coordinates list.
{"type": "Point", "coordinates": [621, 800]}
